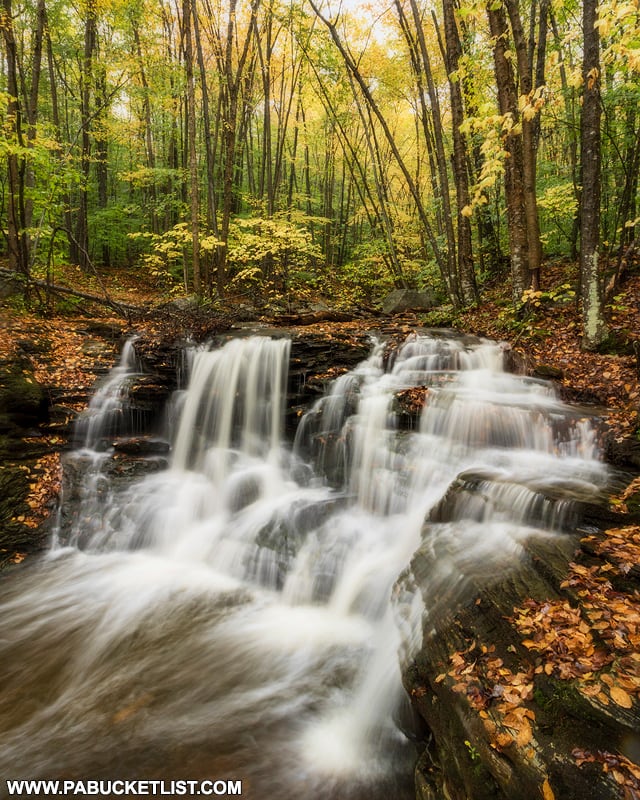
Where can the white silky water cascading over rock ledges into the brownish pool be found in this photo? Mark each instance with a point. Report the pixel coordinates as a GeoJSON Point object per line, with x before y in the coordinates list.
{"type": "Point", "coordinates": [230, 617]}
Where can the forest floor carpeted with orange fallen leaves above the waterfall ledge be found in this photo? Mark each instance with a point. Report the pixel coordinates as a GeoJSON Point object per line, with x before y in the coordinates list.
{"type": "Point", "coordinates": [546, 333]}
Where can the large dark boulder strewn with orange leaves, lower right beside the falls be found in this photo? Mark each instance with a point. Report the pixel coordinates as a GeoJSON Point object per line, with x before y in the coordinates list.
{"type": "Point", "coordinates": [512, 714]}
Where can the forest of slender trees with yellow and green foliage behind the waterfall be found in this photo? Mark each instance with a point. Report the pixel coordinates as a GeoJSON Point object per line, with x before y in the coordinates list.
{"type": "Point", "coordinates": [291, 149]}
